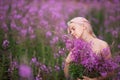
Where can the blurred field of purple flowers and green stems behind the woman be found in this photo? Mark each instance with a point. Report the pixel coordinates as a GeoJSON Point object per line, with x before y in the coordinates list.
{"type": "Point", "coordinates": [33, 34]}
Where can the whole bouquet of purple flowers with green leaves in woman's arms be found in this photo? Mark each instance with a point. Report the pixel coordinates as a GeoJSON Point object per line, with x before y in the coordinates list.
{"type": "Point", "coordinates": [86, 62]}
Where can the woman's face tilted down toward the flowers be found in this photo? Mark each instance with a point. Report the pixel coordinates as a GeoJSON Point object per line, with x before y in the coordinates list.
{"type": "Point", "coordinates": [75, 30]}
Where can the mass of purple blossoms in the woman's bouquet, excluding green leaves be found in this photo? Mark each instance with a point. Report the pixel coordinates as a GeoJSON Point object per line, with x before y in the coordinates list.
{"type": "Point", "coordinates": [83, 54]}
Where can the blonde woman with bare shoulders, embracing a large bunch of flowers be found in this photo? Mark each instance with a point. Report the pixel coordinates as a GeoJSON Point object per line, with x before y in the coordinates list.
{"type": "Point", "coordinates": [80, 27]}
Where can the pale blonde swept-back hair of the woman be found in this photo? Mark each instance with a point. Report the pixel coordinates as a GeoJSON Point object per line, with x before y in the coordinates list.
{"type": "Point", "coordinates": [85, 22]}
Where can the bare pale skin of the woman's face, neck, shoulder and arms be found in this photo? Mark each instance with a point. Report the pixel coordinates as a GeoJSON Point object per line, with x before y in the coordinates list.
{"type": "Point", "coordinates": [80, 31]}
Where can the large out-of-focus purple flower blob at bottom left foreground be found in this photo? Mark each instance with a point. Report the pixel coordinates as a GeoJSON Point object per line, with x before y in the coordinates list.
{"type": "Point", "coordinates": [25, 71]}
